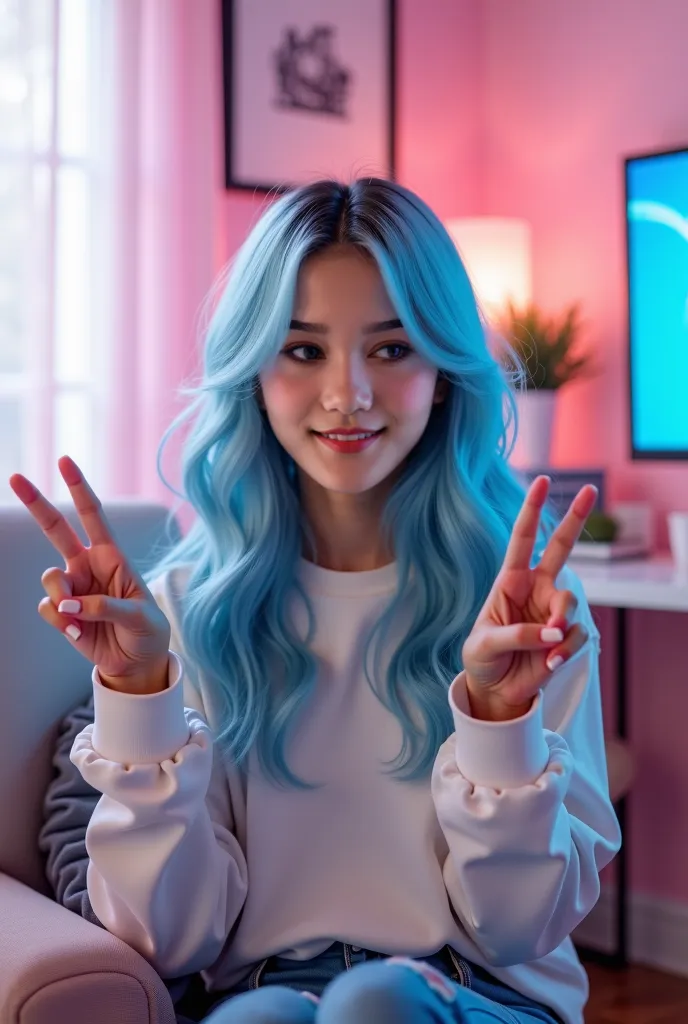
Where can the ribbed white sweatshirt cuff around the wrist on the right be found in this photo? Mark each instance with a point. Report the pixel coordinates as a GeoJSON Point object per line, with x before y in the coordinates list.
{"type": "Point", "coordinates": [500, 755]}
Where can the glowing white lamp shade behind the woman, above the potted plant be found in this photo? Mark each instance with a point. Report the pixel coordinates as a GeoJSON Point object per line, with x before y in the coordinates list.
{"type": "Point", "coordinates": [496, 252]}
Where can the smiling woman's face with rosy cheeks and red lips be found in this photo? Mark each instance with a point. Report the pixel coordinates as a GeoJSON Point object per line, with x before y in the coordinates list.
{"type": "Point", "coordinates": [348, 363]}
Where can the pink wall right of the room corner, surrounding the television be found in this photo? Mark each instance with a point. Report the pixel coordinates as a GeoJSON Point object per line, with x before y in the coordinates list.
{"type": "Point", "coordinates": [569, 90]}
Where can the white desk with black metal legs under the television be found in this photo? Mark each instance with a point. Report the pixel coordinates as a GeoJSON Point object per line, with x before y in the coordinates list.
{"type": "Point", "coordinates": [648, 584]}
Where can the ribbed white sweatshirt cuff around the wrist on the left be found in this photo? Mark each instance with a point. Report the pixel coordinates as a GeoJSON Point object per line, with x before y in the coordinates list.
{"type": "Point", "coordinates": [147, 729]}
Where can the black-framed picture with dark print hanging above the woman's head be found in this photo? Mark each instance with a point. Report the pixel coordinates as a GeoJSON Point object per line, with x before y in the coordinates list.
{"type": "Point", "coordinates": [281, 108]}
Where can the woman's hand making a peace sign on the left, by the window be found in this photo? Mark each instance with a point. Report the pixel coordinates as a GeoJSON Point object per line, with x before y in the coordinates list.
{"type": "Point", "coordinates": [123, 630]}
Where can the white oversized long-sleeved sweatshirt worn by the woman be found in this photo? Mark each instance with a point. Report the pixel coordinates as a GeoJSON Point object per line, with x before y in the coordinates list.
{"type": "Point", "coordinates": [202, 868]}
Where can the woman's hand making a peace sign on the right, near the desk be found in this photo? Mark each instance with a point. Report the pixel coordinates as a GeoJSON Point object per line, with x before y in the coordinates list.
{"type": "Point", "coordinates": [525, 631]}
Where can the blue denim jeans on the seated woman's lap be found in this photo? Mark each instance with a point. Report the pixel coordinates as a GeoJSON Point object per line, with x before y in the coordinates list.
{"type": "Point", "coordinates": [345, 986]}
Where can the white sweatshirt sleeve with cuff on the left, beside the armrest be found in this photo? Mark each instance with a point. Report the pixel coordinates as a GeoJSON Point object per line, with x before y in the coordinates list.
{"type": "Point", "coordinates": [166, 873]}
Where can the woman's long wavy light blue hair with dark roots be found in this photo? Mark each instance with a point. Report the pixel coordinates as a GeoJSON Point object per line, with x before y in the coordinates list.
{"type": "Point", "coordinates": [449, 518]}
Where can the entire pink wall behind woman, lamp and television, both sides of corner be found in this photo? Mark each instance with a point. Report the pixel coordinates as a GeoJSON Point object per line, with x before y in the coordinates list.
{"type": "Point", "coordinates": [526, 110]}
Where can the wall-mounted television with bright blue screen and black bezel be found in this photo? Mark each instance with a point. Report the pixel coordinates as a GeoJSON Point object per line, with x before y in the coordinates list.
{"type": "Point", "coordinates": [657, 224]}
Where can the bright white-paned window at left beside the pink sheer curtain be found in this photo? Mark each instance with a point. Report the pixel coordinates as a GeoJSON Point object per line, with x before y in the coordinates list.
{"type": "Point", "coordinates": [50, 180]}
